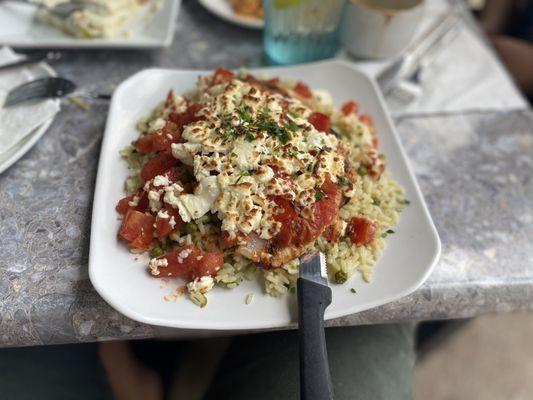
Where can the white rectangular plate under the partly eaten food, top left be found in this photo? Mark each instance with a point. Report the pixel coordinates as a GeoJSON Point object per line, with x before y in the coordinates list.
{"type": "Point", "coordinates": [153, 29]}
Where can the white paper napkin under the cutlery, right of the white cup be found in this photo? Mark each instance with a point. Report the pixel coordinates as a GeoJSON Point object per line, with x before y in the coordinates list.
{"type": "Point", "coordinates": [462, 74]}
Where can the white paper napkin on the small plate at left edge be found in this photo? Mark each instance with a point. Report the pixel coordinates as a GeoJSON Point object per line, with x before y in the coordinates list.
{"type": "Point", "coordinates": [19, 121]}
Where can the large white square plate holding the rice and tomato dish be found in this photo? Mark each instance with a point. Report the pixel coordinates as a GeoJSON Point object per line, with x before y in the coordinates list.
{"type": "Point", "coordinates": [120, 277]}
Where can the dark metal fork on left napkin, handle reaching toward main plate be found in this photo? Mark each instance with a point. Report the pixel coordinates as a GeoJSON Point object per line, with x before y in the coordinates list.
{"type": "Point", "coordinates": [48, 88]}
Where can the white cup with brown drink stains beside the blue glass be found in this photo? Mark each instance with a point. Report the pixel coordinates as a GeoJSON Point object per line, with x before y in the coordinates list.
{"type": "Point", "coordinates": [380, 28]}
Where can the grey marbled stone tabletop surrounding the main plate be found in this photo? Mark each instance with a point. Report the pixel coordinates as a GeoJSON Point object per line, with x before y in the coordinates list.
{"type": "Point", "coordinates": [475, 170]}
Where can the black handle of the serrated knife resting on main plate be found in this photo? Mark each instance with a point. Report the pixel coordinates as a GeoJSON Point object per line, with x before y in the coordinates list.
{"type": "Point", "coordinates": [315, 379]}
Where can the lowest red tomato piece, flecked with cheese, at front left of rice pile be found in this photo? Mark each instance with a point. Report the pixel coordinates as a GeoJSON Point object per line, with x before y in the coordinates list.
{"type": "Point", "coordinates": [190, 262]}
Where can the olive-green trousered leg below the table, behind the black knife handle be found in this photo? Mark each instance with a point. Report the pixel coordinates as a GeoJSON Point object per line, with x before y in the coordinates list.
{"type": "Point", "coordinates": [367, 362]}
